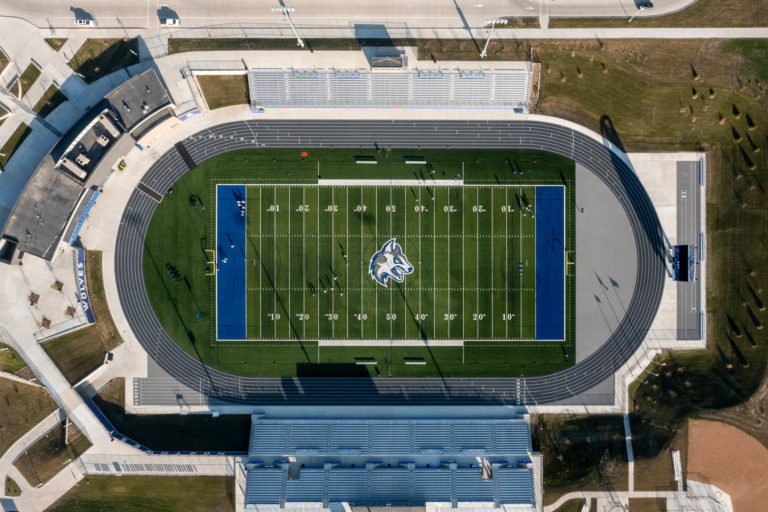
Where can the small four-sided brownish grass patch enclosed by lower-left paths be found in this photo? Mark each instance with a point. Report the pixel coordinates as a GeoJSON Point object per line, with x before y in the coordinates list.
{"type": "Point", "coordinates": [49, 455]}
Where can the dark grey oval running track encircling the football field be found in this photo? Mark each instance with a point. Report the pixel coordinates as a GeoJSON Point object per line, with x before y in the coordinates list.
{"type": "Point", "coordinates": [306, 134]}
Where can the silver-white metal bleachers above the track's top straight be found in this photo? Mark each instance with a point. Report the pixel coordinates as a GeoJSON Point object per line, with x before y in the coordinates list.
{"type": "Point", "coordinates": [457, 88]}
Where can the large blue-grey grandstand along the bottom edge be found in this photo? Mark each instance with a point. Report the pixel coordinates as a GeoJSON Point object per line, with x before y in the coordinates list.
{"type": "Point", "coordinates": [316, 463]}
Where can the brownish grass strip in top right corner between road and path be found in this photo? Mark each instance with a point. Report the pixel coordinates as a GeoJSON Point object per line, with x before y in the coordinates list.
{"type": "Point", "coordinates": [702, 13]}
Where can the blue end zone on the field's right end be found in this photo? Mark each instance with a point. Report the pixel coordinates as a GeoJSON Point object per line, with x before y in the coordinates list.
{"type": "Point", "coordinates": [550, 263]}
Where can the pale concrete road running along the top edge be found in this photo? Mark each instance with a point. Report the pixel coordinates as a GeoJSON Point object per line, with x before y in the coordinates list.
{"type": "Point", "coordinates": [336, 13]}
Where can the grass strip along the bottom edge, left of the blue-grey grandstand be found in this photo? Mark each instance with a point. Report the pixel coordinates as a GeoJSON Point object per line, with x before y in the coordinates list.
{"type": "Point", "coordinates": [149, 494]}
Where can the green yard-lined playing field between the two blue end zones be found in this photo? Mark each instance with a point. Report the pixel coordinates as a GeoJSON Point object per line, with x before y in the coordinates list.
{"type": "Point", "coordinates": [309, 247]}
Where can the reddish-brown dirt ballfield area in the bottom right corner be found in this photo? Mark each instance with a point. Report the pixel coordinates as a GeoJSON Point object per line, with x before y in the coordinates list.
{"type": "Point", "coordinates": [724, 456]}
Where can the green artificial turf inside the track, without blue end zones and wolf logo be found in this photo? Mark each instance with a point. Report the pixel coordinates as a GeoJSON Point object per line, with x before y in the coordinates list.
{"type": "Point", "coordinates": [465, 240]}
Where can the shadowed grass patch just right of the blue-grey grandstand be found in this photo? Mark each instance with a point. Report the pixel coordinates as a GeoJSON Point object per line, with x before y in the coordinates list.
{"type": "Point", "coordinates": [585, 453]}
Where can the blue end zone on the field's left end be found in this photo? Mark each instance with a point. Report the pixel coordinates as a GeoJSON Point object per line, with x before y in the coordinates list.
{"type": "Point", "coordinates": [230, 262]}
